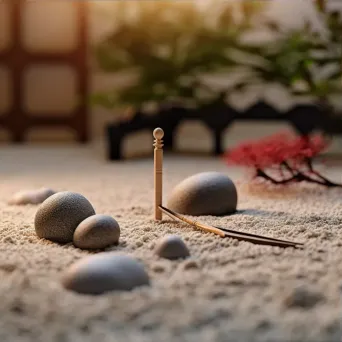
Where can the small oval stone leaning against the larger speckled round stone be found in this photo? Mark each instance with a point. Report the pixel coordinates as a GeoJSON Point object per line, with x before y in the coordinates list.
{"type": "Point", "coordinates": [97, 232]}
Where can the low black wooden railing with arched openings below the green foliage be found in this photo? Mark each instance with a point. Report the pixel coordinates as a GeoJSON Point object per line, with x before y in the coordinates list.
{"type": "Point", "coordinates": [303, 118]}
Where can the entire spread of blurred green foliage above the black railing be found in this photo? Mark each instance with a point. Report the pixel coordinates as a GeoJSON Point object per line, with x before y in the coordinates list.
{"type": "Point", "coordinates": [170, 44]}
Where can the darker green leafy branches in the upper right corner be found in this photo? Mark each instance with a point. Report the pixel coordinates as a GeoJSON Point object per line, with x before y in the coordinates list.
{"type": "Point", "coordinates": [303, 57]}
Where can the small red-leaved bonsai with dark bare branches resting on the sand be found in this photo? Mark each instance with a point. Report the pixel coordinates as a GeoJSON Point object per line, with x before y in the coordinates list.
{"type": "Point", "coordinates": [282, 158]}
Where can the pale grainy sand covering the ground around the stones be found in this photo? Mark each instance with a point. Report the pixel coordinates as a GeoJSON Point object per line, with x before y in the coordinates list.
{"type": "Point", "coordinates": [227, 291]}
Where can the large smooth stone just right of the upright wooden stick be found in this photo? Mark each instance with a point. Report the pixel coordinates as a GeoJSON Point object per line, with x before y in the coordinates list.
{"type": "Point", "coordinates": [206, 193]}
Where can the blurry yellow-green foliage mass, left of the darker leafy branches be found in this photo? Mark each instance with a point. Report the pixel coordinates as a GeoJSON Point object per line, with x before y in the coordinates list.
{"type": "Point", "coordinates": [169, 44]}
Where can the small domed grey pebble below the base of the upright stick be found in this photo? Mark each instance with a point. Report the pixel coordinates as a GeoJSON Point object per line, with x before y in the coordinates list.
{"type": "Point", "coordinates": [172, 247]}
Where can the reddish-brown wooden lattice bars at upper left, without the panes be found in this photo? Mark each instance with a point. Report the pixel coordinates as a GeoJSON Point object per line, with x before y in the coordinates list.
{"type": "Point", "coordinates": [17, 120]}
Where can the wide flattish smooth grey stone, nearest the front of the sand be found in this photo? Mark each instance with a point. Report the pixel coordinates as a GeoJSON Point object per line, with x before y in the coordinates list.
{"type": "Point", "coordinates": [105, 272]}
